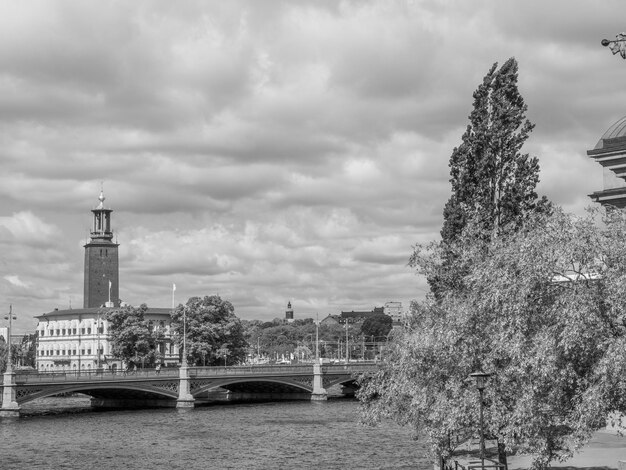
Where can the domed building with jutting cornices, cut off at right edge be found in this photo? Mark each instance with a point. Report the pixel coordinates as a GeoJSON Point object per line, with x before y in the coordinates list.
{"type": "Point", "coordinates": [610, 152]}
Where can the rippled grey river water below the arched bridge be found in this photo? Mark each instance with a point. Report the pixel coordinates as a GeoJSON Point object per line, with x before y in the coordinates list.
{"type": "Point", "coordinates": [283, 435]}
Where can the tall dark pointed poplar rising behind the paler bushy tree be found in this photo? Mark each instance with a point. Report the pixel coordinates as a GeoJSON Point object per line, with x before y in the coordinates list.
{"type": "Point", "coordinates": [493, 183]}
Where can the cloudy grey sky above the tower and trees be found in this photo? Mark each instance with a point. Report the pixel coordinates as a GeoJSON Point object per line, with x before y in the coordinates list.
{"type": "Point", "coordinates": [272, 151]}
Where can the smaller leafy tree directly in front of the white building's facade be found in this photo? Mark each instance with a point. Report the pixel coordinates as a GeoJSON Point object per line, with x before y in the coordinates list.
{"type": "Point", "coordinates": [133, 340]}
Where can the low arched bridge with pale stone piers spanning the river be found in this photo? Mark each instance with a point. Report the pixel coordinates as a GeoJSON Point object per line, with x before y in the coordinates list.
{"type": "Point", "coordinates": [181, 387]}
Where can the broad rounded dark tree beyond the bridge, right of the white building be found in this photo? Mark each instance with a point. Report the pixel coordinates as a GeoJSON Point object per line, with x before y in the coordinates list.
{"type": "Point", "coordinates": [211, 324]}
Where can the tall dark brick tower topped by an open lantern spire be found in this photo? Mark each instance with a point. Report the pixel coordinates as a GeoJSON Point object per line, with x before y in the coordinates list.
{"type": "Point", "coordinates": [101, 261]}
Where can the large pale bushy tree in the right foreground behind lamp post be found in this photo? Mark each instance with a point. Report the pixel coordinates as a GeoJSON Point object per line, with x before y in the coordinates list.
{"type": "Point", "coordinates": [545, 312]}
